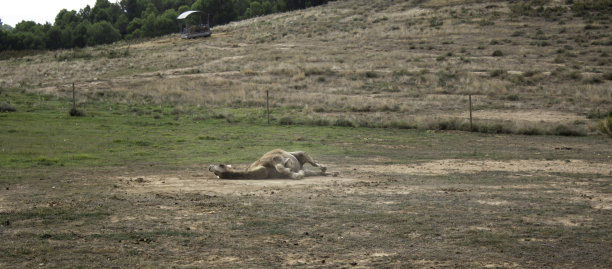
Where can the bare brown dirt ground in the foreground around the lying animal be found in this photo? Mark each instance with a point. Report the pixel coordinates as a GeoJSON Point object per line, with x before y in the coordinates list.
{"type": "Point", "coordinates": [440, 213]}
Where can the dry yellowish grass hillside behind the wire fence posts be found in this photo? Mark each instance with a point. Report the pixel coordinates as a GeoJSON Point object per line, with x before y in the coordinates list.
{"type": "Point", "coordinates": [394, 60]}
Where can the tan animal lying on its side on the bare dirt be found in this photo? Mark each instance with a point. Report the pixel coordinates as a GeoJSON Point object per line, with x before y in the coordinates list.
{"type": "Point", "coordinates": [274, 164]}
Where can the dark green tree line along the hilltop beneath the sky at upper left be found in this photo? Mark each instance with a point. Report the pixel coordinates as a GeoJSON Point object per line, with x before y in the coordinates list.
{"type": "Point", "coordinates": [108, 22]}
